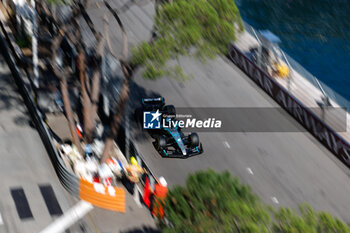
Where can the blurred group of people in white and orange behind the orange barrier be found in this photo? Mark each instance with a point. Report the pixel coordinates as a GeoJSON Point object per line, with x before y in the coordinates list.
{"type": "Point", "coordinates": [129, 173]}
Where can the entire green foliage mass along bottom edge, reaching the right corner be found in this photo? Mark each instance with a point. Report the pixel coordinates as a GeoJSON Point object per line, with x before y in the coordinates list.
{"type": "Point", "coordinates": [217, 202]}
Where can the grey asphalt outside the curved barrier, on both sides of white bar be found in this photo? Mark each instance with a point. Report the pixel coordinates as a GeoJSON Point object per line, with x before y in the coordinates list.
{"type": "Point", "coordinates": [25, 164]}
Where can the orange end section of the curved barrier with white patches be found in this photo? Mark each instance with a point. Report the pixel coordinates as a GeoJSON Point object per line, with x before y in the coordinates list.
{"type": "Point", "coordinates": [106, 197]}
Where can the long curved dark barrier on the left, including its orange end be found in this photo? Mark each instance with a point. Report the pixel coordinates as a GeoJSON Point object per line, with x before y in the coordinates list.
{"type": "Point", "coordinates": [112, 198]}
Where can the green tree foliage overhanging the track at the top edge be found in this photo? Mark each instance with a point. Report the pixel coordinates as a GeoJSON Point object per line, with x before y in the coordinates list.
{"type": "Point", "coordinates": [202, 28]}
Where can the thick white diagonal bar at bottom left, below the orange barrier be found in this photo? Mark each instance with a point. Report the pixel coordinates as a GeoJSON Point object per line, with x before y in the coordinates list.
{"type": "Point", "coordinates": [69, 218]}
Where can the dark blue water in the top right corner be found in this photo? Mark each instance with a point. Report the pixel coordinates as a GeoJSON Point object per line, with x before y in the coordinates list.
{"type": "Point", "coordinates": [316, 33]}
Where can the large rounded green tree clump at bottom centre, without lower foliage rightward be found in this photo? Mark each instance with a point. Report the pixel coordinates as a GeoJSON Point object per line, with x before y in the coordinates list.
{"type": "Point", "coordinates": [213, 202]}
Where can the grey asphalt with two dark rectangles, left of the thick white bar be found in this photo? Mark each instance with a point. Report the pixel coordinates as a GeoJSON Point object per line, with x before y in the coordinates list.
{"type": "Point", "coordinates": [24, 164]}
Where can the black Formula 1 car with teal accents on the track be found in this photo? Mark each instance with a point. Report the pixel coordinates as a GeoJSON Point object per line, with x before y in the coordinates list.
{"type": "Point", "coordinates": [169, 141]}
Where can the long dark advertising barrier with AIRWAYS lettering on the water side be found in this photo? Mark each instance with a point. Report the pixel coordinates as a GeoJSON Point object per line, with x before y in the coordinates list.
{"type": "Point", "coordinates": [318, 128]}
